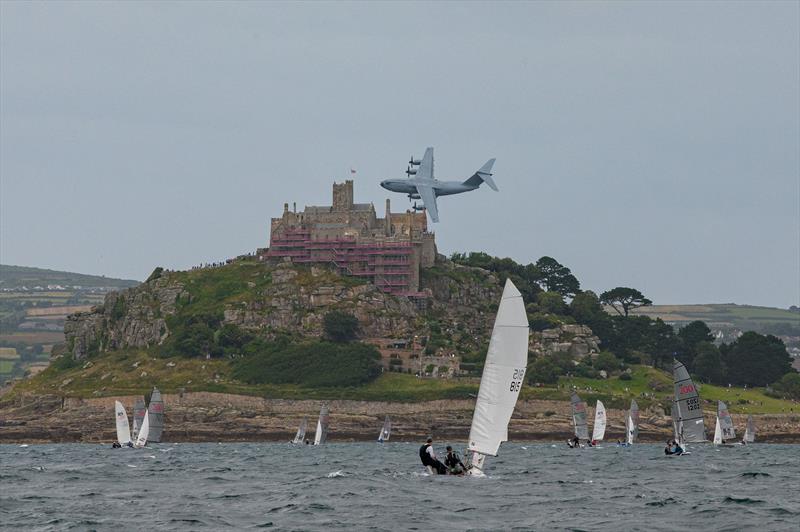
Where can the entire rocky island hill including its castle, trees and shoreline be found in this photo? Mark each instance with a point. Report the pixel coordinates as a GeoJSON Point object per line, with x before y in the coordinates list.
{"type": "Point", "coordinates": [359, 310]}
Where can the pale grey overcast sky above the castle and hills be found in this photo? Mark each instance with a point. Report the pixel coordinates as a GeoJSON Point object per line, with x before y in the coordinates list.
{"type": "Point", "coordinates": [645, 144]}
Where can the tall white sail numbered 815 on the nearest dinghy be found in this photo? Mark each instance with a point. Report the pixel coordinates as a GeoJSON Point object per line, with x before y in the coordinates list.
{"type": "Point", "coordinates": [501, 382]}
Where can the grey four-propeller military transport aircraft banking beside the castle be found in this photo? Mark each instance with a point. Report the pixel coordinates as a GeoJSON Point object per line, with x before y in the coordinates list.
{"type": "Point", "coordinates": [421, 184]}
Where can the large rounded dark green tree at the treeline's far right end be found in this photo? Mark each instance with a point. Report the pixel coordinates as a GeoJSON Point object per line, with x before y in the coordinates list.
{"type": "Point", "coordinates": [756, 360]}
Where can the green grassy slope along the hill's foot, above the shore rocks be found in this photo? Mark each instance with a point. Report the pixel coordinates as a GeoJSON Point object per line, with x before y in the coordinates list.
{"type": "Point", "coordinates": [114, 374]}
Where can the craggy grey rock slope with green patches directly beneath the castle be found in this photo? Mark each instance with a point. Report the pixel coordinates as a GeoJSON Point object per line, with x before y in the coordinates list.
{"type": "Point", "coordinates": [268, 298]}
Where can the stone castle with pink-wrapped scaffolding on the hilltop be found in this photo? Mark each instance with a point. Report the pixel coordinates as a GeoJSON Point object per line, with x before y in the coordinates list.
{"type": "Point", "coordinates": [389, 252]}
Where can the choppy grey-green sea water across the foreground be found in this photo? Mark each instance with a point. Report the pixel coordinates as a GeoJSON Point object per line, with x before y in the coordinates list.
{"type": "Point", "coordinates": [371, 486]}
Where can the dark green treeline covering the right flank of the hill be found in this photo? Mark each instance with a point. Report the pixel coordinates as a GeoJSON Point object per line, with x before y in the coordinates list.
{"type": "Point", "coordinates": [553, 296]}
